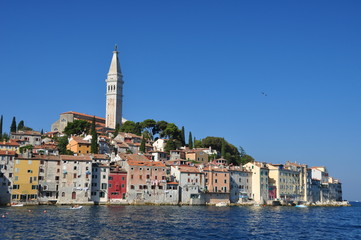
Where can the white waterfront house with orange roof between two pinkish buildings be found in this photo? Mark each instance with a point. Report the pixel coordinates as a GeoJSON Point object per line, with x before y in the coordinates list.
{"type": "Point", "coordinates": [191, 182]}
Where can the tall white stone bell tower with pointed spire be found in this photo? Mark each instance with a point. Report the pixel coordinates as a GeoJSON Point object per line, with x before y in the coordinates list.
{"type": "Point", "coordinates": [114, 93]}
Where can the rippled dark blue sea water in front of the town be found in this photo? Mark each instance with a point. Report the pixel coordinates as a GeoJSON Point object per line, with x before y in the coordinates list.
{"type": "Point", "coordinates": [173, 222]}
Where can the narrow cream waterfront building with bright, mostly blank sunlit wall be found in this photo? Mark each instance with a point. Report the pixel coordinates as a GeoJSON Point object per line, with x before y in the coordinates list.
{"type": "Point", "coordinates": [260, 191]}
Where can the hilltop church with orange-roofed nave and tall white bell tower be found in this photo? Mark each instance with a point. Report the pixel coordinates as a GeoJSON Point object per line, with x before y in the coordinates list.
{"type": "Point", "coordinates": [114, 102]}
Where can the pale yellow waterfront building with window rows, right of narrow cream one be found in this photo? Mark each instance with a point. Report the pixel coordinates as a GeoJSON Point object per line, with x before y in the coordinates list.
{"type": "Point", "coordinates": [285, 181]}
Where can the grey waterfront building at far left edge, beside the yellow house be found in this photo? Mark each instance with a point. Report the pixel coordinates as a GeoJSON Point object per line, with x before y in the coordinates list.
{"type": "Point", "coordinates": [6, 174]}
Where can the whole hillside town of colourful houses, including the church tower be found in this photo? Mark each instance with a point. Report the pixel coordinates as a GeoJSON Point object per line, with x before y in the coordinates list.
{"type": "Point", "coordinates": [109, 165]}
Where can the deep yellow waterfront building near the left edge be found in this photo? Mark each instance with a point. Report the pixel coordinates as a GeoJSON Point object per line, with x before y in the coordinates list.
{"type": "Point", "coordinates": [25, 180]}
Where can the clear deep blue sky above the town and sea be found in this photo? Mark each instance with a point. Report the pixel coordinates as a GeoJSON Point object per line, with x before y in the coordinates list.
{"type": "Point", "coordinates": [282, 79]}
